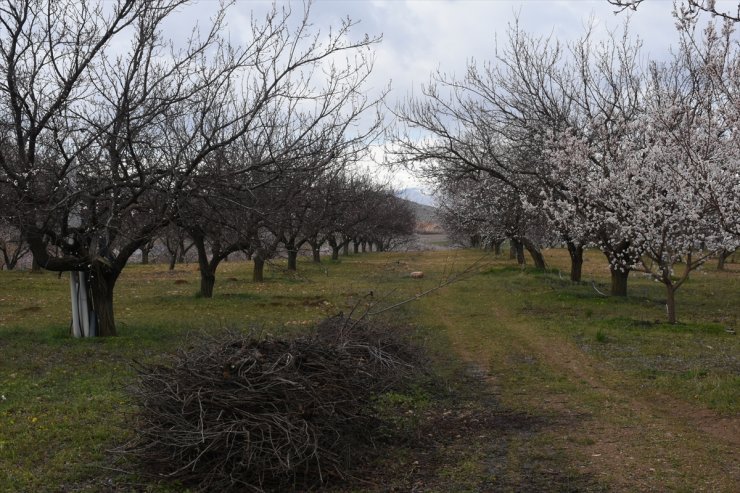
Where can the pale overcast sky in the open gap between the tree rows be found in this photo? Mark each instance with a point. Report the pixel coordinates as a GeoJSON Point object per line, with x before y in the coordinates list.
{"type": "Point", "coordinates": [420, 36]}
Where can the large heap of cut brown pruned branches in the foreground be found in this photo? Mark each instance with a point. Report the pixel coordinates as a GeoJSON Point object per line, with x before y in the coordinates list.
{"type": "Point", "coordinates": [244, 412]}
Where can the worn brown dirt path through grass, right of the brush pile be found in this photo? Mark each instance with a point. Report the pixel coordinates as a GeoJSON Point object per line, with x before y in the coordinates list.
{"type": "Point", "coordinates": [629, 441]}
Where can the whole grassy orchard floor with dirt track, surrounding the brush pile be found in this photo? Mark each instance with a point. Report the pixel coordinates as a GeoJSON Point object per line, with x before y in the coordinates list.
{"type": "Point", "coordinates": [543, 385]}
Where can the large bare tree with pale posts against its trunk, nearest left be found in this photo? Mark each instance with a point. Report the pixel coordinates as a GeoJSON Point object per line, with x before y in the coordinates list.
{"type": "Point", "coordinates": [97, 141]}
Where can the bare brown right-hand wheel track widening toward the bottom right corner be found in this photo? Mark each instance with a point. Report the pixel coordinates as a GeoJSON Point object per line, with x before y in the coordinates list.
{"type": "Point", "coordinates": [654, 450]}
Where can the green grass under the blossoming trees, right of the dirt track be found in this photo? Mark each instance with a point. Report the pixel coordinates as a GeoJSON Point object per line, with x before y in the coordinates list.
{"type": "Point", "coordinates": [632, 335]}
